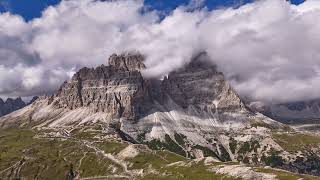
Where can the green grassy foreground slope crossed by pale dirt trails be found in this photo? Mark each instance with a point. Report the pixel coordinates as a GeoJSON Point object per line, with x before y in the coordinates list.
{"type": "Point", "coordinates": [52, 154]}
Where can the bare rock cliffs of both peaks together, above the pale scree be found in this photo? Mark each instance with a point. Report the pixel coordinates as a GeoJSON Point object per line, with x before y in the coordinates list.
{"type": "Point", "coordinates": [120, 91]}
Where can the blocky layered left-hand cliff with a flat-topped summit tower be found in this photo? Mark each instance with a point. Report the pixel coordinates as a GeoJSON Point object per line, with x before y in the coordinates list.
{"type": "Point", "coordinates": [119, 89]}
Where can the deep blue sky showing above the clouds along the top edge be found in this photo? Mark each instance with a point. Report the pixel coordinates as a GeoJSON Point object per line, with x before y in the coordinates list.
{"type": "Point", "coordinates": [30, 9]}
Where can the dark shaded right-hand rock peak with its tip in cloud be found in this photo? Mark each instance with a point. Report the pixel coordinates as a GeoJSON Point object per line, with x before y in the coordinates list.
{"type": "Point", "coordinates": [201, 86]}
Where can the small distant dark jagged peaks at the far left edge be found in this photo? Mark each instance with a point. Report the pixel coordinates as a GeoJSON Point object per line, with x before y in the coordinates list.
{"type": "Point", "coordinates": [10, 105]}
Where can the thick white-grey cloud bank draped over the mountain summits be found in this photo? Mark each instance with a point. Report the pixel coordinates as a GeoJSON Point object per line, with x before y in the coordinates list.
{"type": "Point", "coordinates": [269, 50]}
